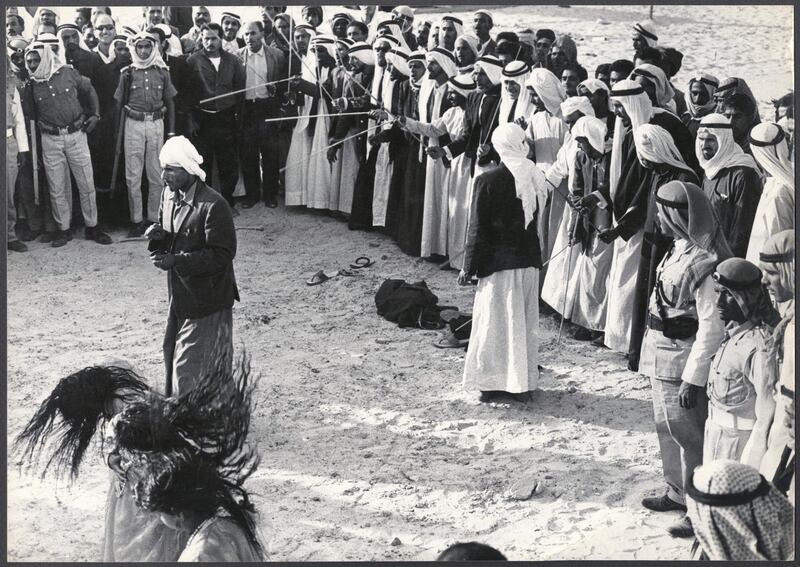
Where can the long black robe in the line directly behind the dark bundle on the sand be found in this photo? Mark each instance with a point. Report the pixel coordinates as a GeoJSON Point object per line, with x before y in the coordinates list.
{"type": "Point", "coordinates": [408, 182]}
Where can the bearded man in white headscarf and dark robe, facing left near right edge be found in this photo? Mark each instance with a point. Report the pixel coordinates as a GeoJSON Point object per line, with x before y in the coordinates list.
{"type": "Point", "coordinates": [732, 181]}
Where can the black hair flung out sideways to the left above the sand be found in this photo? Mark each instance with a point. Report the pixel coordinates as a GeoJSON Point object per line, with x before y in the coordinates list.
{"type": "Point", "coordinates": [72, 412]}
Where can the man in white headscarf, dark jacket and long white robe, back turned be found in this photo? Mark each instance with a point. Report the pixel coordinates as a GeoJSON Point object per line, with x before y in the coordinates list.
{"type": "Point", "coordinates": [502, 357]}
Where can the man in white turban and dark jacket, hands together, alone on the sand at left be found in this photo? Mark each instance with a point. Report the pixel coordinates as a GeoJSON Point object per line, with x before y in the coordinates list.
{"type": "Point", "coordinates": [195, 243]}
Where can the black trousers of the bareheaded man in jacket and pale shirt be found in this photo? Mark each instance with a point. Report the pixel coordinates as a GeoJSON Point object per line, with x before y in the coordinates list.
{"type": "Point", "coordinates": [260, 142]}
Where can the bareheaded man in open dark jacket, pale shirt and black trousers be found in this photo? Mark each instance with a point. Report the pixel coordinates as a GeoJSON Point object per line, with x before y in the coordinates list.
{"type": "Point", "coordinates": [262, 64]}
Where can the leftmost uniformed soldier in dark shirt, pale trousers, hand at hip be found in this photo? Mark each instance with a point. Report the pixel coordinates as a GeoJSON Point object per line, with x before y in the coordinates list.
{"type": "Point", "coordinates": [65, 107]}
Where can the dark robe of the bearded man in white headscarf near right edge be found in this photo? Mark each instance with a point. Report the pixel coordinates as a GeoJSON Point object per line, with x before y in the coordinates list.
{"type": "Point", "coordinates": [734, 194]}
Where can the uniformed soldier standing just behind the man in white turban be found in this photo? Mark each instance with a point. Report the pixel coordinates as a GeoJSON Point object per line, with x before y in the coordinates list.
{"type": "Point", "coordinates": [145, 94]}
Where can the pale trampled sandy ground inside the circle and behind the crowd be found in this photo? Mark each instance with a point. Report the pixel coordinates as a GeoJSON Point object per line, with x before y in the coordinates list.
{"type": "Point", "coordinates": [371, 450]}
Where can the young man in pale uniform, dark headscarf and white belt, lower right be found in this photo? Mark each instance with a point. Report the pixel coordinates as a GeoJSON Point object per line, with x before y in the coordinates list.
{"type": "Point", "coordinates": [740, 406]}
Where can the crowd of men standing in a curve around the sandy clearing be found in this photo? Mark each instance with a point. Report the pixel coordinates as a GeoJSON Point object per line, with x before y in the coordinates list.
{"type": "Point", "coordinates": [387, 122]}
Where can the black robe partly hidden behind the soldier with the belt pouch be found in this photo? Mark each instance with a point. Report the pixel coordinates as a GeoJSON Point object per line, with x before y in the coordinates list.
{"type": "Point", "coordinates": [654, 247]}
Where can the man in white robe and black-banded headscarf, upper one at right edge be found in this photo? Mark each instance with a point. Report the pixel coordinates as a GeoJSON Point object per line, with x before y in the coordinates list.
{"type": "Point", "coordinates": [775, 212]}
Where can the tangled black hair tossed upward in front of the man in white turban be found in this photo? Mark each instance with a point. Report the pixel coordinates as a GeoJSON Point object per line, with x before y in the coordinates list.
{"type": "Point", "coordinates": [191, 454]}
